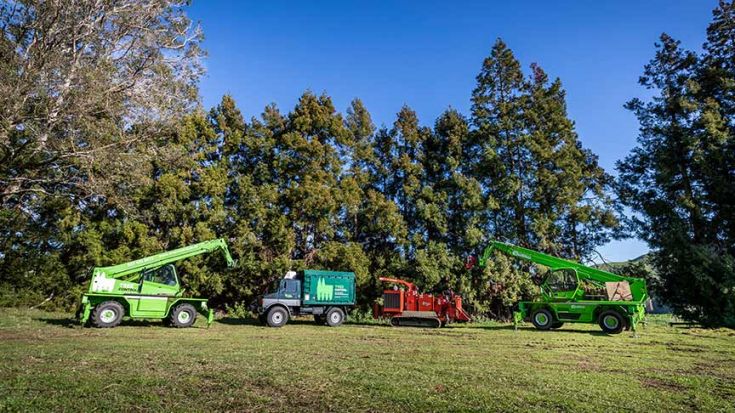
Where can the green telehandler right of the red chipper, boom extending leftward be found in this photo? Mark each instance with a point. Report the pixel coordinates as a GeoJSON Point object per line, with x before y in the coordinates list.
{"type": "Point", "coordinates": [575, 293]}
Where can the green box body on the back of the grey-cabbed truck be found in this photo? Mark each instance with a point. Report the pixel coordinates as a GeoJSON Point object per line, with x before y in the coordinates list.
{"type": "Point", "coordinates": [328, 287]}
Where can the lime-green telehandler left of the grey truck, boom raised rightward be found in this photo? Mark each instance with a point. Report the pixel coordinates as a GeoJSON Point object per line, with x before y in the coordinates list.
{"type": "Point", "coordinates": [147, 288]}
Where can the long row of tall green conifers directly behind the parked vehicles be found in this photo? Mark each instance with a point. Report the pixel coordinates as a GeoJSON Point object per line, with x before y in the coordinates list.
{"type": "Point", "coordinates": [312, 188]}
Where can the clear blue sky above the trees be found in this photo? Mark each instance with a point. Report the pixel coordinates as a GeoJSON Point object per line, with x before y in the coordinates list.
{"type": "Point", "coordinates": [426, 54]}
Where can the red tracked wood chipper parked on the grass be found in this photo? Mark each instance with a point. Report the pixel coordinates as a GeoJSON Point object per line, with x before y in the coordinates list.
{"type": "Point", "coordinates": [408, 307]}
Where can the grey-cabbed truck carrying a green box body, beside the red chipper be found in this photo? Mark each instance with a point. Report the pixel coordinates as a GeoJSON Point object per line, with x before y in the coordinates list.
{"type": "Point", "coordinates": [326, 295]}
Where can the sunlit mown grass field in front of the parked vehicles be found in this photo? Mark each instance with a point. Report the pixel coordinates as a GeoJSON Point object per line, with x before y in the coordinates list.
{"type": "Point", "coordinates": [48, 363]}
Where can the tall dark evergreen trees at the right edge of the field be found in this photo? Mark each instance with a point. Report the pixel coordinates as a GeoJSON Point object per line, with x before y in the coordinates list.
{"type": "Point", "coordinates": [679, 179]}
